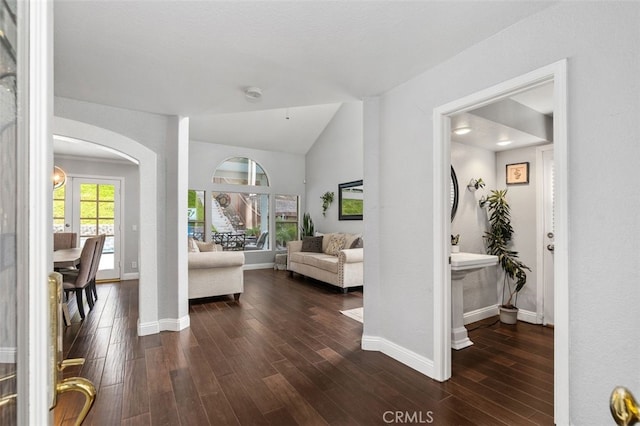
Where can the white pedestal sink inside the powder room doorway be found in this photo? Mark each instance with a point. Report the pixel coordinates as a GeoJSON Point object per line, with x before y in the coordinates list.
{"type": "Point", "coordinates": [461, 265]}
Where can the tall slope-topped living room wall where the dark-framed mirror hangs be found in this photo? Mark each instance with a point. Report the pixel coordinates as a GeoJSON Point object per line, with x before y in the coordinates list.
{"type": "Point", "coordinates": [336, 157]}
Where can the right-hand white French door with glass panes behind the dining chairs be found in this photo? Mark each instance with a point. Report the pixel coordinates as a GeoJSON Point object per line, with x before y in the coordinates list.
{"type": "Point", "coordinates": [95, 211]}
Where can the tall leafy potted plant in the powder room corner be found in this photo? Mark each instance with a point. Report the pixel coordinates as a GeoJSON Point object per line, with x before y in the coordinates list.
{"type": "Point", "coordinates": [498, 240]}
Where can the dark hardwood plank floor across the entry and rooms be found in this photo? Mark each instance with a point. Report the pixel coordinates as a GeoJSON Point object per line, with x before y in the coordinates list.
{"type": "Point", "coordinates": [286, 356]}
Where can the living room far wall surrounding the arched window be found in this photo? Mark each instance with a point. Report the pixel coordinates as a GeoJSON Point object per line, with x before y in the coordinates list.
{"type": "Point", "coordinates": [286, 174]}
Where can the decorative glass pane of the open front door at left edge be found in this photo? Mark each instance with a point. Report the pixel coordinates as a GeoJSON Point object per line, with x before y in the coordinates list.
{"type": "Point", "coordinates": [8, 207]}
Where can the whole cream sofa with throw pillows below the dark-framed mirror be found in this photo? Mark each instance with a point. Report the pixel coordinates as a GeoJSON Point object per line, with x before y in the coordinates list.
{"type": "Point", "coordinates": [329, 261]}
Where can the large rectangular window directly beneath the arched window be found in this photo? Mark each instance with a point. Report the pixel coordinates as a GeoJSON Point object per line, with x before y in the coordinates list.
{"type": "Point", "coordinates": [240, 220]}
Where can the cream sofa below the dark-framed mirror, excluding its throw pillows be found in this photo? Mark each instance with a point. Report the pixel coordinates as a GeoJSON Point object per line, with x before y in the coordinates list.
{"type": "Point", "coordinates": [344, 270]}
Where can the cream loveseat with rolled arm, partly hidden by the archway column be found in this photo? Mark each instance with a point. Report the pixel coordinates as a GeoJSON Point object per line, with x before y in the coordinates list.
{"type": "Point", "coordinates": [213, 272]}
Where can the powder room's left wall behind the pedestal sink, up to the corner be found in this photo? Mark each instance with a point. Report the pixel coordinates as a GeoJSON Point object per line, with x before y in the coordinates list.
{"type": "Point", "coordinates": [471, 221]}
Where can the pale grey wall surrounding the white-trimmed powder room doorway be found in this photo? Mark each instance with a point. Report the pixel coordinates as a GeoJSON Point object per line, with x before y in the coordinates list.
{"type": "Point", "coordinates": [601, 41]}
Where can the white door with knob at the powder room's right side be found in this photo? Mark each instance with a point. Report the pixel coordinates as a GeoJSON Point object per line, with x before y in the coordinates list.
{"type": "Point", "coordinates": [548, 238]}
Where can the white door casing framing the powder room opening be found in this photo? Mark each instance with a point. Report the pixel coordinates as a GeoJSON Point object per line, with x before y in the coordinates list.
{"type": "Point", "coordinates": [556, 72]}
